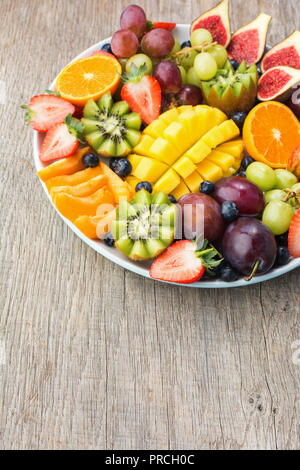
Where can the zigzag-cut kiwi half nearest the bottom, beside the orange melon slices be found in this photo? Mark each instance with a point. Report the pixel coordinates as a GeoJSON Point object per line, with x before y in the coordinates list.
{"type": "Point", "coordinates": [144, 227]}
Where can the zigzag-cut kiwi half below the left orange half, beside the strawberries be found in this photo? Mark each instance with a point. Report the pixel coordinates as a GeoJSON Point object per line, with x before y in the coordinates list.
{"type": "Point", "coordinates": [110, 128]}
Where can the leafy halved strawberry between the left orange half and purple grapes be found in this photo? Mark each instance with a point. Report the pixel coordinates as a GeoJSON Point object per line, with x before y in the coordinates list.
{"type": "Point", "coordinates": [142, 93]}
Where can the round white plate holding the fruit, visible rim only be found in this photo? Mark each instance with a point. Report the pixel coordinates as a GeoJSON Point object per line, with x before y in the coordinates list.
{"type": "Point", "coordinates": [182, 34]}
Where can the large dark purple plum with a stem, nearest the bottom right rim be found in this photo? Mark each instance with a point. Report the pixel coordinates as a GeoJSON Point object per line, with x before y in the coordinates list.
{"type": "Point", "coordinates": [246, 242]}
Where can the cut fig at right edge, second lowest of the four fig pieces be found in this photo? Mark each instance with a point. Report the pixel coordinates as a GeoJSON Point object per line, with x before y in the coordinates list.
{"type": "Point", "coordinates": [286, 53]}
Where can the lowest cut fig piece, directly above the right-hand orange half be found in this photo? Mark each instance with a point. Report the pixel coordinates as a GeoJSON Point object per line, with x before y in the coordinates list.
{"type": "Point", "coordinates": [277, 83]}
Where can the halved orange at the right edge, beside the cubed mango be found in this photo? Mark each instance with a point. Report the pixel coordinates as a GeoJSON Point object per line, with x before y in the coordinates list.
{"type": "Point", "coordinates": [271, 132]}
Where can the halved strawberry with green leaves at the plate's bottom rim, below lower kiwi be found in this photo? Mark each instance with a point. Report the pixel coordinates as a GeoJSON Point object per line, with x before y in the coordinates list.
{"type": "Point", "coordinates": [183, 263]}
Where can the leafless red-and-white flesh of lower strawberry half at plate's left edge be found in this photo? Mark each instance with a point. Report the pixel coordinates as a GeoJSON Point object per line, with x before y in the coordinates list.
{"type": "Point", "coordinates": [58, 143]}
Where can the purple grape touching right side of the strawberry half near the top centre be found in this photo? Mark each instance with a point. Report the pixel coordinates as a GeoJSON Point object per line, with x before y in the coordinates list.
{"type": "Point", "coordinates": [169, 77]}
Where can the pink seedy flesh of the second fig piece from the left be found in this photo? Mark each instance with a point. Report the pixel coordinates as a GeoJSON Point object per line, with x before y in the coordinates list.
{"type": "Point", "coordinates": [245, 46]}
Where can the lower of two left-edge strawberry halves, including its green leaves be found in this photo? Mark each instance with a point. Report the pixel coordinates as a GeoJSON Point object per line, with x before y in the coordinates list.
{"type": "Point", "coordinates": [62, 140]}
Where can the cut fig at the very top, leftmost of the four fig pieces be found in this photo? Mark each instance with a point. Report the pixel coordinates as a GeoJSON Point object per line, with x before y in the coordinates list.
{"type": "Point", "coordinates": [217, 22]}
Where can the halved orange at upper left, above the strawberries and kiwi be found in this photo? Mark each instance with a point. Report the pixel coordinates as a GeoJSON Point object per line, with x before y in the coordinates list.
{"type": "Point", "coordinates": [89, 78]}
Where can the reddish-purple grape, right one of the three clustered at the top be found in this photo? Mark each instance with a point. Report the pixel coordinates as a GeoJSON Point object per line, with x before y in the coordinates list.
{"type": "Point", "coordinates": [158, 43]}
